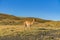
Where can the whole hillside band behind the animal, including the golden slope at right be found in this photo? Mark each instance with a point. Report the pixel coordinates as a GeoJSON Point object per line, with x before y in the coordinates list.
{"type": "Point", "coordinates": [6, 19]}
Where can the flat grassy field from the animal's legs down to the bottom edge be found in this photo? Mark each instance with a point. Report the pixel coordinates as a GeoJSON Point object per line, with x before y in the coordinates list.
{"type": "Point", "coordinates": [19, 32]}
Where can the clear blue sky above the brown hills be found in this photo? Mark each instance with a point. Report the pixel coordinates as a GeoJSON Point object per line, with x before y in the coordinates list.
{"type": "Point", "coordinates": [45, 9]}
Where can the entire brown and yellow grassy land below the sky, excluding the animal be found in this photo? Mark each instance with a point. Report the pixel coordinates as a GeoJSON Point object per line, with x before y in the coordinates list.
{"type": "Point", "coordinates": [12, 28]}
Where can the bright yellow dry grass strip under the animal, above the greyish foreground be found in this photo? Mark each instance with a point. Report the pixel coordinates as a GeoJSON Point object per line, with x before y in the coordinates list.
{"type": "Point", "coordinates": [11, 29]}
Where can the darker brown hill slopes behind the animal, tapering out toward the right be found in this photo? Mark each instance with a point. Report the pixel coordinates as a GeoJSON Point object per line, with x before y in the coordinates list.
{"type": "Point", "coordinates": [6, 19]}
